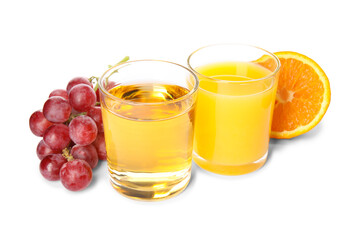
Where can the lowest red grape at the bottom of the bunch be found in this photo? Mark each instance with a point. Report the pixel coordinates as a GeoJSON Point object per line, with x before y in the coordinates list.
{"type": "Point", "coordinates": [76, 175]}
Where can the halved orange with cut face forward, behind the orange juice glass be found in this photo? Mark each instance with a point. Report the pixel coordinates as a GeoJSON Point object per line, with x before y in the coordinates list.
{"type": "Point", "coordinates": [302, 97]}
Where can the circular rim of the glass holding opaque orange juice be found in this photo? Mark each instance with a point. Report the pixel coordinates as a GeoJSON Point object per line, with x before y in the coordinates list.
{"type": "Point", "coordinates": [272, 74]}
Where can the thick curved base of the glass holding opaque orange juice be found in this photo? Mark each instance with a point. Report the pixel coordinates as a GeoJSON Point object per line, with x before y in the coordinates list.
{"type": "Point", "coordinates": [229, 169]}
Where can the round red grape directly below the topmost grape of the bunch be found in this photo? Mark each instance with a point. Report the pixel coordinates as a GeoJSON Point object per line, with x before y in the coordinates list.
{"type": "Point", "coordinates": [82, 97]}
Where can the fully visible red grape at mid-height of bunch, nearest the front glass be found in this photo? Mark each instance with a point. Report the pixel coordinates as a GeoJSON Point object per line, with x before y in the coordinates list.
{"type": "Point", "coordinates": [83, 130]}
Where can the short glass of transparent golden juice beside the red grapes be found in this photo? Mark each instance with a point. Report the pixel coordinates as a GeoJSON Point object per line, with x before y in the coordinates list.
{"type": "Point", "coordinates": [148, 109]}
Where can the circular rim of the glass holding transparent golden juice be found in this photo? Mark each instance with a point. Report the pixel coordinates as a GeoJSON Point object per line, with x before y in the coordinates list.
{"type": "Point", "coordinates": [123, 64]}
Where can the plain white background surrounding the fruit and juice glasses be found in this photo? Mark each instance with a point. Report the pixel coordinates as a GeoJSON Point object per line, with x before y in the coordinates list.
{"type": "Point", "coordinates": [309, 188]}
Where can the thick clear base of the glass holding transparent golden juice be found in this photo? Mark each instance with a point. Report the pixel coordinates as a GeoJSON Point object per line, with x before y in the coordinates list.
{"type": "Point", "coordinates": [149, 186]}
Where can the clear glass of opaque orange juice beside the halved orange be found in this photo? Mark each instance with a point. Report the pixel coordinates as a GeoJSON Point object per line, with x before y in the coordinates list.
{"type": "Point", "coordinates": [235, 106]}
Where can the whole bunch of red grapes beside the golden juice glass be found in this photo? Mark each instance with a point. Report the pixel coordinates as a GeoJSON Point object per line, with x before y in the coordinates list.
{"type": "Point", "coordinates": [72, 132]}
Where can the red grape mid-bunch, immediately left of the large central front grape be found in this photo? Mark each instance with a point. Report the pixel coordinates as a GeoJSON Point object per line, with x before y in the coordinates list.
{"type": "Point", "coordinates": [57, 136]}
